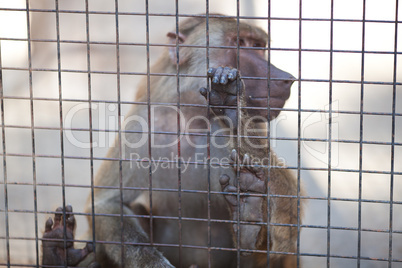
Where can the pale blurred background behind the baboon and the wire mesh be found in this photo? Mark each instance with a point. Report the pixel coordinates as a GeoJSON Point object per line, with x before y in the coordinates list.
{"type": "Point", "coordinates": [362, 114]}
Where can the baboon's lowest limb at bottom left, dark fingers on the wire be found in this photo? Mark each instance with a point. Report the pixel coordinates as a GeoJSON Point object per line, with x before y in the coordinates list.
{"type": "Point", "coordinates": [110, 230]}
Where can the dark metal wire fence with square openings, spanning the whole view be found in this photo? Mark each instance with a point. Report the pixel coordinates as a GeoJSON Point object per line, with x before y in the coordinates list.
{"type": "Point", "coordinates": [209, 193]}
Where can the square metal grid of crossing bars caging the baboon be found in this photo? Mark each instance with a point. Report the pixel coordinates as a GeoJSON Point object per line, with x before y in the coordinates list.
{"type": "Point", "coordinates": [178, 75]}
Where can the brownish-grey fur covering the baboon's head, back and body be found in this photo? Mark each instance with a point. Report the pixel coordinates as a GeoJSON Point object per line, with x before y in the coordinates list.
{"type": "Point", "coordinates": [111, 227]}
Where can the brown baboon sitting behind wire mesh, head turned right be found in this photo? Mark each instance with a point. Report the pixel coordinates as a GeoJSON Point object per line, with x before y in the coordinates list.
{"type": "Point", "coordinates": [176, 210]}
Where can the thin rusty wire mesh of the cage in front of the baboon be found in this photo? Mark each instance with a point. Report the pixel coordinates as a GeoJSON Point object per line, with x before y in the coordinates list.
{"type": "Point", "coordinates": [7, 260]}
